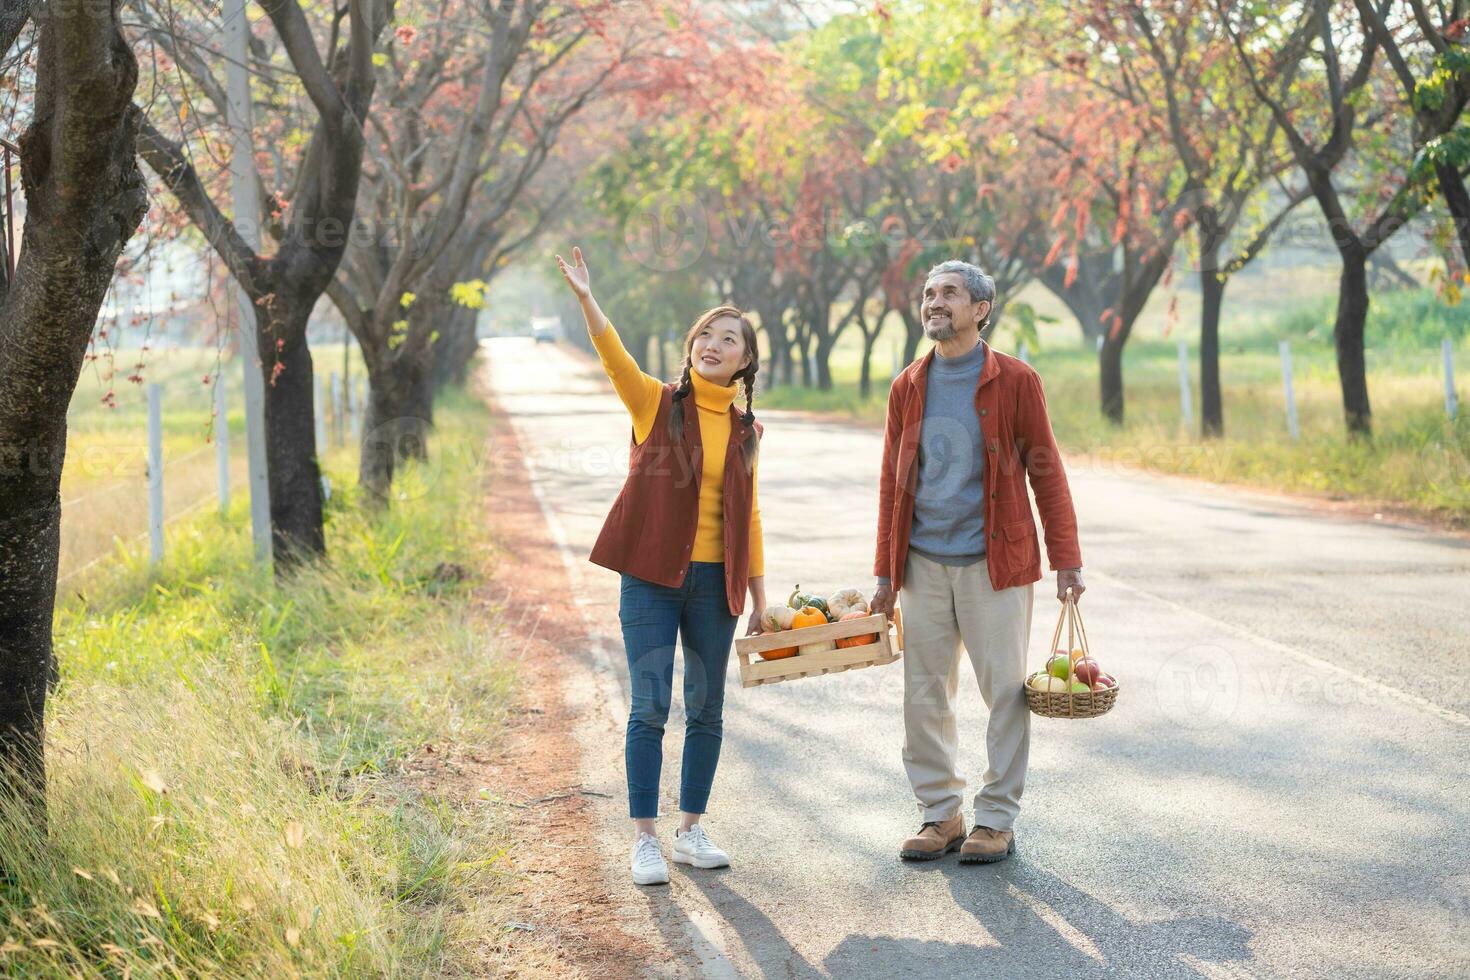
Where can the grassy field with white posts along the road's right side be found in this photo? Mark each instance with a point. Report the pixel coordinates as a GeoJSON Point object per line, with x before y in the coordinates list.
{"type": "Point", "coordinates": [1418, 459]}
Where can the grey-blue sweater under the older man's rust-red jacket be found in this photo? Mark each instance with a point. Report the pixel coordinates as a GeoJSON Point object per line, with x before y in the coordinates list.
{"type": "Point", "coordinates": [949, 522]}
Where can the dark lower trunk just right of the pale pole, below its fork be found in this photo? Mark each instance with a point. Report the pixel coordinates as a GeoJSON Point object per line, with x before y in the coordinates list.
{"type": "Point", "coordinates": [295, 475]}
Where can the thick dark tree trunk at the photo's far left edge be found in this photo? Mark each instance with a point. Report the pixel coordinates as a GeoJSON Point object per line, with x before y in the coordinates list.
{"type": "Point", "coordinates": [85, 199]}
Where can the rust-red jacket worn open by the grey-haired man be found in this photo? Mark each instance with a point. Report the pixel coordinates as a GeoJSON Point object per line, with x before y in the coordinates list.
{"type": "Point", "coordinates": [1019, 444]}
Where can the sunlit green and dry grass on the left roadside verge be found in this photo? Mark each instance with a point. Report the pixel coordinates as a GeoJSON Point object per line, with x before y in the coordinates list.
{"type": "Point", "coordinates": [237, 778]}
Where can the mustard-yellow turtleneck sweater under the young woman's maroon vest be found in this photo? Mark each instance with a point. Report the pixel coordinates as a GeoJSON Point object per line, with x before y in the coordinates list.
{"type": "Point", "coordinates": [640, 394]}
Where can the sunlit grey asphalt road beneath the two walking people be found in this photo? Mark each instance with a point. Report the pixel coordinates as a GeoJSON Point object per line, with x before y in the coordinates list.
{"type": "Point", "coordinates": [1280, 793]}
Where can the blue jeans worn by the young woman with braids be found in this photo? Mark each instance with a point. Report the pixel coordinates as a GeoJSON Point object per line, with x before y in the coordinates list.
{"type": "Point", "coordinates": [653, 616]}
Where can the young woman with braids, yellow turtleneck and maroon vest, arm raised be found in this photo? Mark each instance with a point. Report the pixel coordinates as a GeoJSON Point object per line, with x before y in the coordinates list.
{"type": "Point", "coordinates": [686, 536]}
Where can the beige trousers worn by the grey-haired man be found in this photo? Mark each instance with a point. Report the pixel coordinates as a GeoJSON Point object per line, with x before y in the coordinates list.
{"type": "Point", "coordinates": [946, 606]}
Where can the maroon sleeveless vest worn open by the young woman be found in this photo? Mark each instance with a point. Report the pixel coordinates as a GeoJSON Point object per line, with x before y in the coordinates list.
{"type": "Point", "coordinates": [650, 531]}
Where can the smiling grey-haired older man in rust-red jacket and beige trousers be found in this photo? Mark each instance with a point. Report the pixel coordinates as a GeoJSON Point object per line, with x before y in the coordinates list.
{"type": "Point", "coordinates": [956, 541]}
